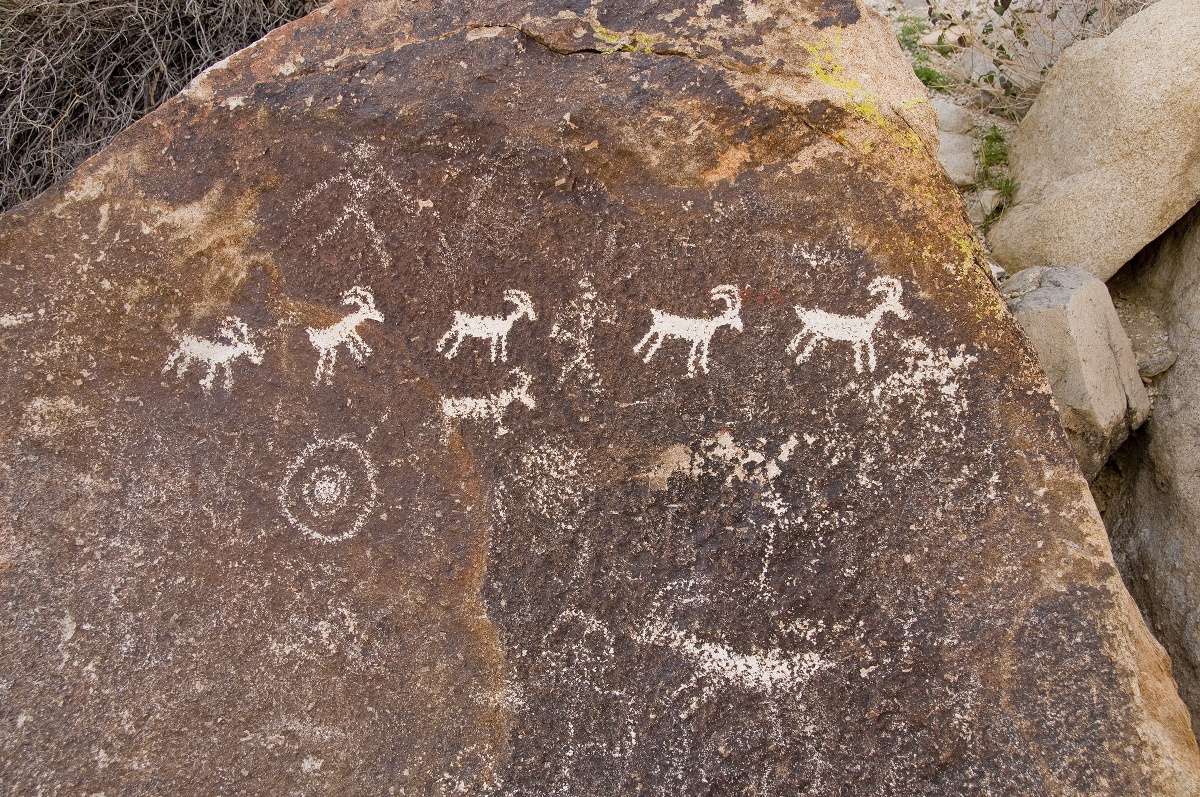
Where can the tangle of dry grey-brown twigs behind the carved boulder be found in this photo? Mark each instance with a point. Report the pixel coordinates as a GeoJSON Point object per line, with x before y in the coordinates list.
{"type": "Point", "coordinates": [74, 74]}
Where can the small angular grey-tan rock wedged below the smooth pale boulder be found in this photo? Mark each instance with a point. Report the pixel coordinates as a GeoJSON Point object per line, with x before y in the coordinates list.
{"type": "Point", "coordinates": [1070, 319]}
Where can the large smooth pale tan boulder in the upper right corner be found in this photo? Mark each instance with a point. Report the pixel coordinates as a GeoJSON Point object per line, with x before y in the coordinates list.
{"type": "Point", "coordinates": [1109, 155]}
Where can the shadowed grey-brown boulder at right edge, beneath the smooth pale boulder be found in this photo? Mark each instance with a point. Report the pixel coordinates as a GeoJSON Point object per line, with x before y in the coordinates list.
{"type": "Point", "coordinates": [1155, 519]}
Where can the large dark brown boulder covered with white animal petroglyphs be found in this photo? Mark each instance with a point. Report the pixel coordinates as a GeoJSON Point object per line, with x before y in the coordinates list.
{"type": "Point", "coordinates": [520, 399]}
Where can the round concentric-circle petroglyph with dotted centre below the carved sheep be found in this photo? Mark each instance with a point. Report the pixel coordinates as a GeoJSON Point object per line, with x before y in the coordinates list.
{"type": "Point", "coordinates": [329, 492]}
